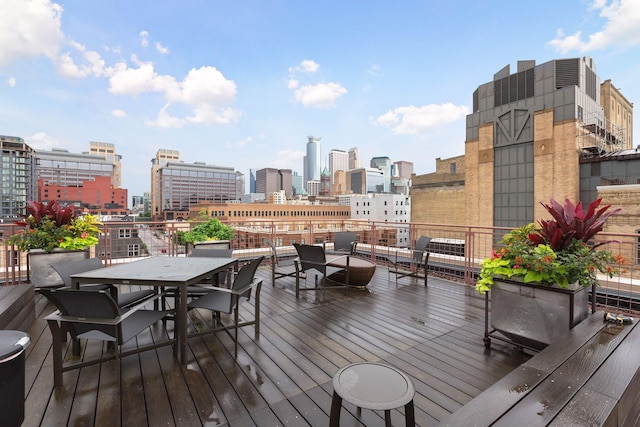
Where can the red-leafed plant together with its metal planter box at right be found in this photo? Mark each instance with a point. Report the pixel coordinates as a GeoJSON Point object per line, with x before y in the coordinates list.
{"type": "Point", "coordinates": [540, 275]}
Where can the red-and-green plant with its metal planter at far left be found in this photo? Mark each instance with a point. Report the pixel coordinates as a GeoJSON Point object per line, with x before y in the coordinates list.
{"type": "Point", "coordinates": [53, 234]}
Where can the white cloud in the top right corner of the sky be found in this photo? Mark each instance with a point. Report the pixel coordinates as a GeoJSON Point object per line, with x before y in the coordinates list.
{"type": "Point", "coordinates": [620, 27]}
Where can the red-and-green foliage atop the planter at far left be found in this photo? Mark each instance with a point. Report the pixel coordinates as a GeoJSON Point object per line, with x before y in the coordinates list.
{"type": "Point", "coordinates": [50, 226]}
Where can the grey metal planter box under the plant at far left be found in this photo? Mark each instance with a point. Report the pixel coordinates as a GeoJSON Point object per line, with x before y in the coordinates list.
{"type": "Point", "coordinates": [41, 274]}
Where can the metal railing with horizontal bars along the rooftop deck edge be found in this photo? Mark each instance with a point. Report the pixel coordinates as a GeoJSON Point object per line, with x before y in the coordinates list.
{"type": "Point", "coordinates": [455, 251]}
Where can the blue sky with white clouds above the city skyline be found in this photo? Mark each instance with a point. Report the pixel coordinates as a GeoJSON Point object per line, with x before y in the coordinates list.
{"type": "Point", "coordinates": [243, 83]}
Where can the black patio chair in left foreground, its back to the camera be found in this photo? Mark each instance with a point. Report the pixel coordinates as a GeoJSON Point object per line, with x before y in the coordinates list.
{"type": "Point", "coordinates": [94, 315]}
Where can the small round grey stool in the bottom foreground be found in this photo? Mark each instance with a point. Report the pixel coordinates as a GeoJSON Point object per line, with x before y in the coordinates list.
{"type": "Point", "coordinates": [372, 386]}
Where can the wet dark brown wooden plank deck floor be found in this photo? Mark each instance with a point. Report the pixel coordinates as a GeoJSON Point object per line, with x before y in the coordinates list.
{"type": "Point", "coordinates": [433, 334]}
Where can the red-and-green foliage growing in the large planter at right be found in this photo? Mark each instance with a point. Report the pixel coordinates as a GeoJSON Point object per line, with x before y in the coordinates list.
{"type": "Point", "coordinates": [554, 252]}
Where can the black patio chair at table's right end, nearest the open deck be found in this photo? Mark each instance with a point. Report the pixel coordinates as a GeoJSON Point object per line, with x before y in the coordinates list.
{"type": "Point", "coordinates": [223, 300]}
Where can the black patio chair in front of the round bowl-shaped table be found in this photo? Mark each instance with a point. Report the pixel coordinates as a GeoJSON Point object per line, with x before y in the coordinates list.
{"type": "Point", "coordinates": [313, 260]}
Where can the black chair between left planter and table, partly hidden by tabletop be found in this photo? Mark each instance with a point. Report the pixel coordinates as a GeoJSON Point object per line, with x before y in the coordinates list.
{"type": "Point", "coordinates": [127, 299]}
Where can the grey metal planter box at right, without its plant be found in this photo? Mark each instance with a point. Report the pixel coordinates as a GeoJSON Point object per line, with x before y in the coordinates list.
{"type": "Point", "coordinates": [534, 316]}
